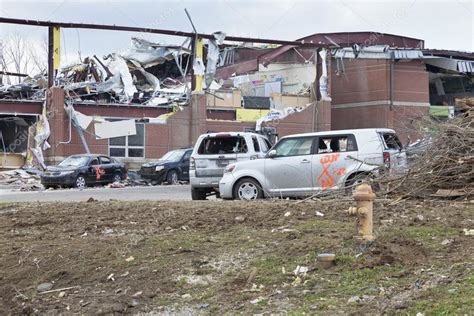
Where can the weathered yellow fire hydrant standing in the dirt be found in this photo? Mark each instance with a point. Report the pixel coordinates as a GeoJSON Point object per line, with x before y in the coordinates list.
{"type": "Point", "coordinates": [364, 197]}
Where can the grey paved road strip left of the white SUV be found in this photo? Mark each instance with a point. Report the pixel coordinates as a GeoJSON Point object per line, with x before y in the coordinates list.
{"type": "Point", "coordinates": [166, 192]}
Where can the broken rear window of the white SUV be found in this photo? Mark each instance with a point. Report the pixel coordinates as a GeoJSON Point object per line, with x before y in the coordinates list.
{"type": "Point", "coordinates": [223, 145]}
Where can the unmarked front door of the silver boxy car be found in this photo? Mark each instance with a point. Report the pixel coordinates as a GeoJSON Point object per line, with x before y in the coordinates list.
{"type": "Point", "coordinates": [288, 172]}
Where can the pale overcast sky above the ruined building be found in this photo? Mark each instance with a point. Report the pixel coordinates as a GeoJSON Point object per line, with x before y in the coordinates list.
{"type": "Point", "coordinates": [442, 24]}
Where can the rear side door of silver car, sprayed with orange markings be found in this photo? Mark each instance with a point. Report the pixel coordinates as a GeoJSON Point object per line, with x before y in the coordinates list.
{"type": "Point", "coordinates": [335, 157]}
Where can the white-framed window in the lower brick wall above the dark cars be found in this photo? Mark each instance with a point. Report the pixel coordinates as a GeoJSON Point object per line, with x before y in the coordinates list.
{"type": "Point", "coordinates": [129, 146]}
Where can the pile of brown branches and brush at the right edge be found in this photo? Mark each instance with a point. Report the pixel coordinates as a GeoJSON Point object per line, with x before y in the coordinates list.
{"type": "Point", "coordinates": [445, 168]}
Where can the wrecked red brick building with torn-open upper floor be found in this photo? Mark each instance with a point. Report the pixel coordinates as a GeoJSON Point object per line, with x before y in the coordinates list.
{"type": "Point", "coordinates": [370, 80]}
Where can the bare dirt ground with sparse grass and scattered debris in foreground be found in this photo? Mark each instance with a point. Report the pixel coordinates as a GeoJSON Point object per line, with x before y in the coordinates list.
{"type": "Point", "coordinates": [234, 257]}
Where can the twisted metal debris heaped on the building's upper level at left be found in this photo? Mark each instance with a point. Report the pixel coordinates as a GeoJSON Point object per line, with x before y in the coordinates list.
{"type": "Point", "coordinates": [146, 74]}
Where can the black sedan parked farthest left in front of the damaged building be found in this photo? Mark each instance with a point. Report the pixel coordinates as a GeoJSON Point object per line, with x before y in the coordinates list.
{"type": "Point", "coordinates": [82, 170]}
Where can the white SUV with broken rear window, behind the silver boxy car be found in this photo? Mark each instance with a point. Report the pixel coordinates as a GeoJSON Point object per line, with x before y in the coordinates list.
{"type": "Point", "coordinates": [214, 151]}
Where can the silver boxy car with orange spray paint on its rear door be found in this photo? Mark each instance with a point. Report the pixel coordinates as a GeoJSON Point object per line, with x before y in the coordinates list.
{"type": "Point", "coordinates": [303, 164]}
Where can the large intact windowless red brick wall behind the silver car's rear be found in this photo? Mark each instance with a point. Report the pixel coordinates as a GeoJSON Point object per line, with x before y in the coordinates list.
{"type": "Point", "coordinates": [364, 90]}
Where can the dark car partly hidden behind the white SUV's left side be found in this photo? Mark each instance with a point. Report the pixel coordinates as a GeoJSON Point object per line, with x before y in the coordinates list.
{"type": "Point", "coordinates": [172, 168]}
